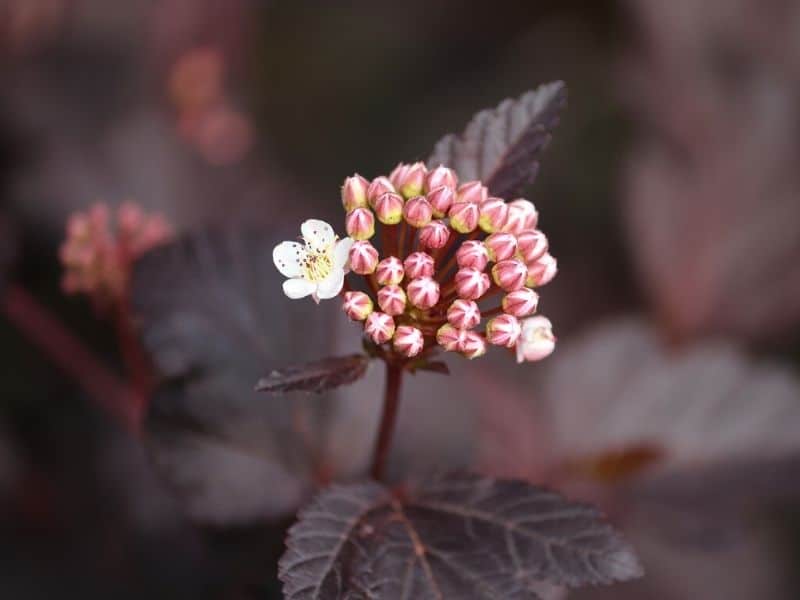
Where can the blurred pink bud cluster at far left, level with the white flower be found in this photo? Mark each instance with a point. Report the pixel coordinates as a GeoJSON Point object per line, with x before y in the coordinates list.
{"type": "Point", "coordinates": [101, 245]}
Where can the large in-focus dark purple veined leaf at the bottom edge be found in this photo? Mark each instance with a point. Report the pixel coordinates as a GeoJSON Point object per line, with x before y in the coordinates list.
{"type": "Point", "coordinates": [459, 536]}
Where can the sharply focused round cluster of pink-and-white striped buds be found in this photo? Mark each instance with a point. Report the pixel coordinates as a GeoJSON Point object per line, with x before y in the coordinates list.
{"type": "Point", "coordinates": [439, 258]}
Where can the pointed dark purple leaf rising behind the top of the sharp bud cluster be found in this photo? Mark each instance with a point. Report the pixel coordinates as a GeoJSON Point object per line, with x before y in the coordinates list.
{"type": "Point", "coordinates": [501, 146]}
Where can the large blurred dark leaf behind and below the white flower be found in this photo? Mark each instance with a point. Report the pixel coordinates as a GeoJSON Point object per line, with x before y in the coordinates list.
{"type": "Point", "coordinates": [214, 319]}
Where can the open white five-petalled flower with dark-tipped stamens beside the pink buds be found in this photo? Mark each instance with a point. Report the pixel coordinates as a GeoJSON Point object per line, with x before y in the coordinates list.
{"type": "Point", "coordinates": [317, 266]}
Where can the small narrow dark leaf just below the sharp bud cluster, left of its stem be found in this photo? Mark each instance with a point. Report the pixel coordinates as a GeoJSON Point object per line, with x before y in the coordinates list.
{"type": "Point", "coordinates": [318, 376]}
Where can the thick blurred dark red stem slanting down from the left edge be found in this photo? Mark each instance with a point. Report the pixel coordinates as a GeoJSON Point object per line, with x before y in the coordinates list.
{"type": "Point", "coordinates": [107, 390]}
